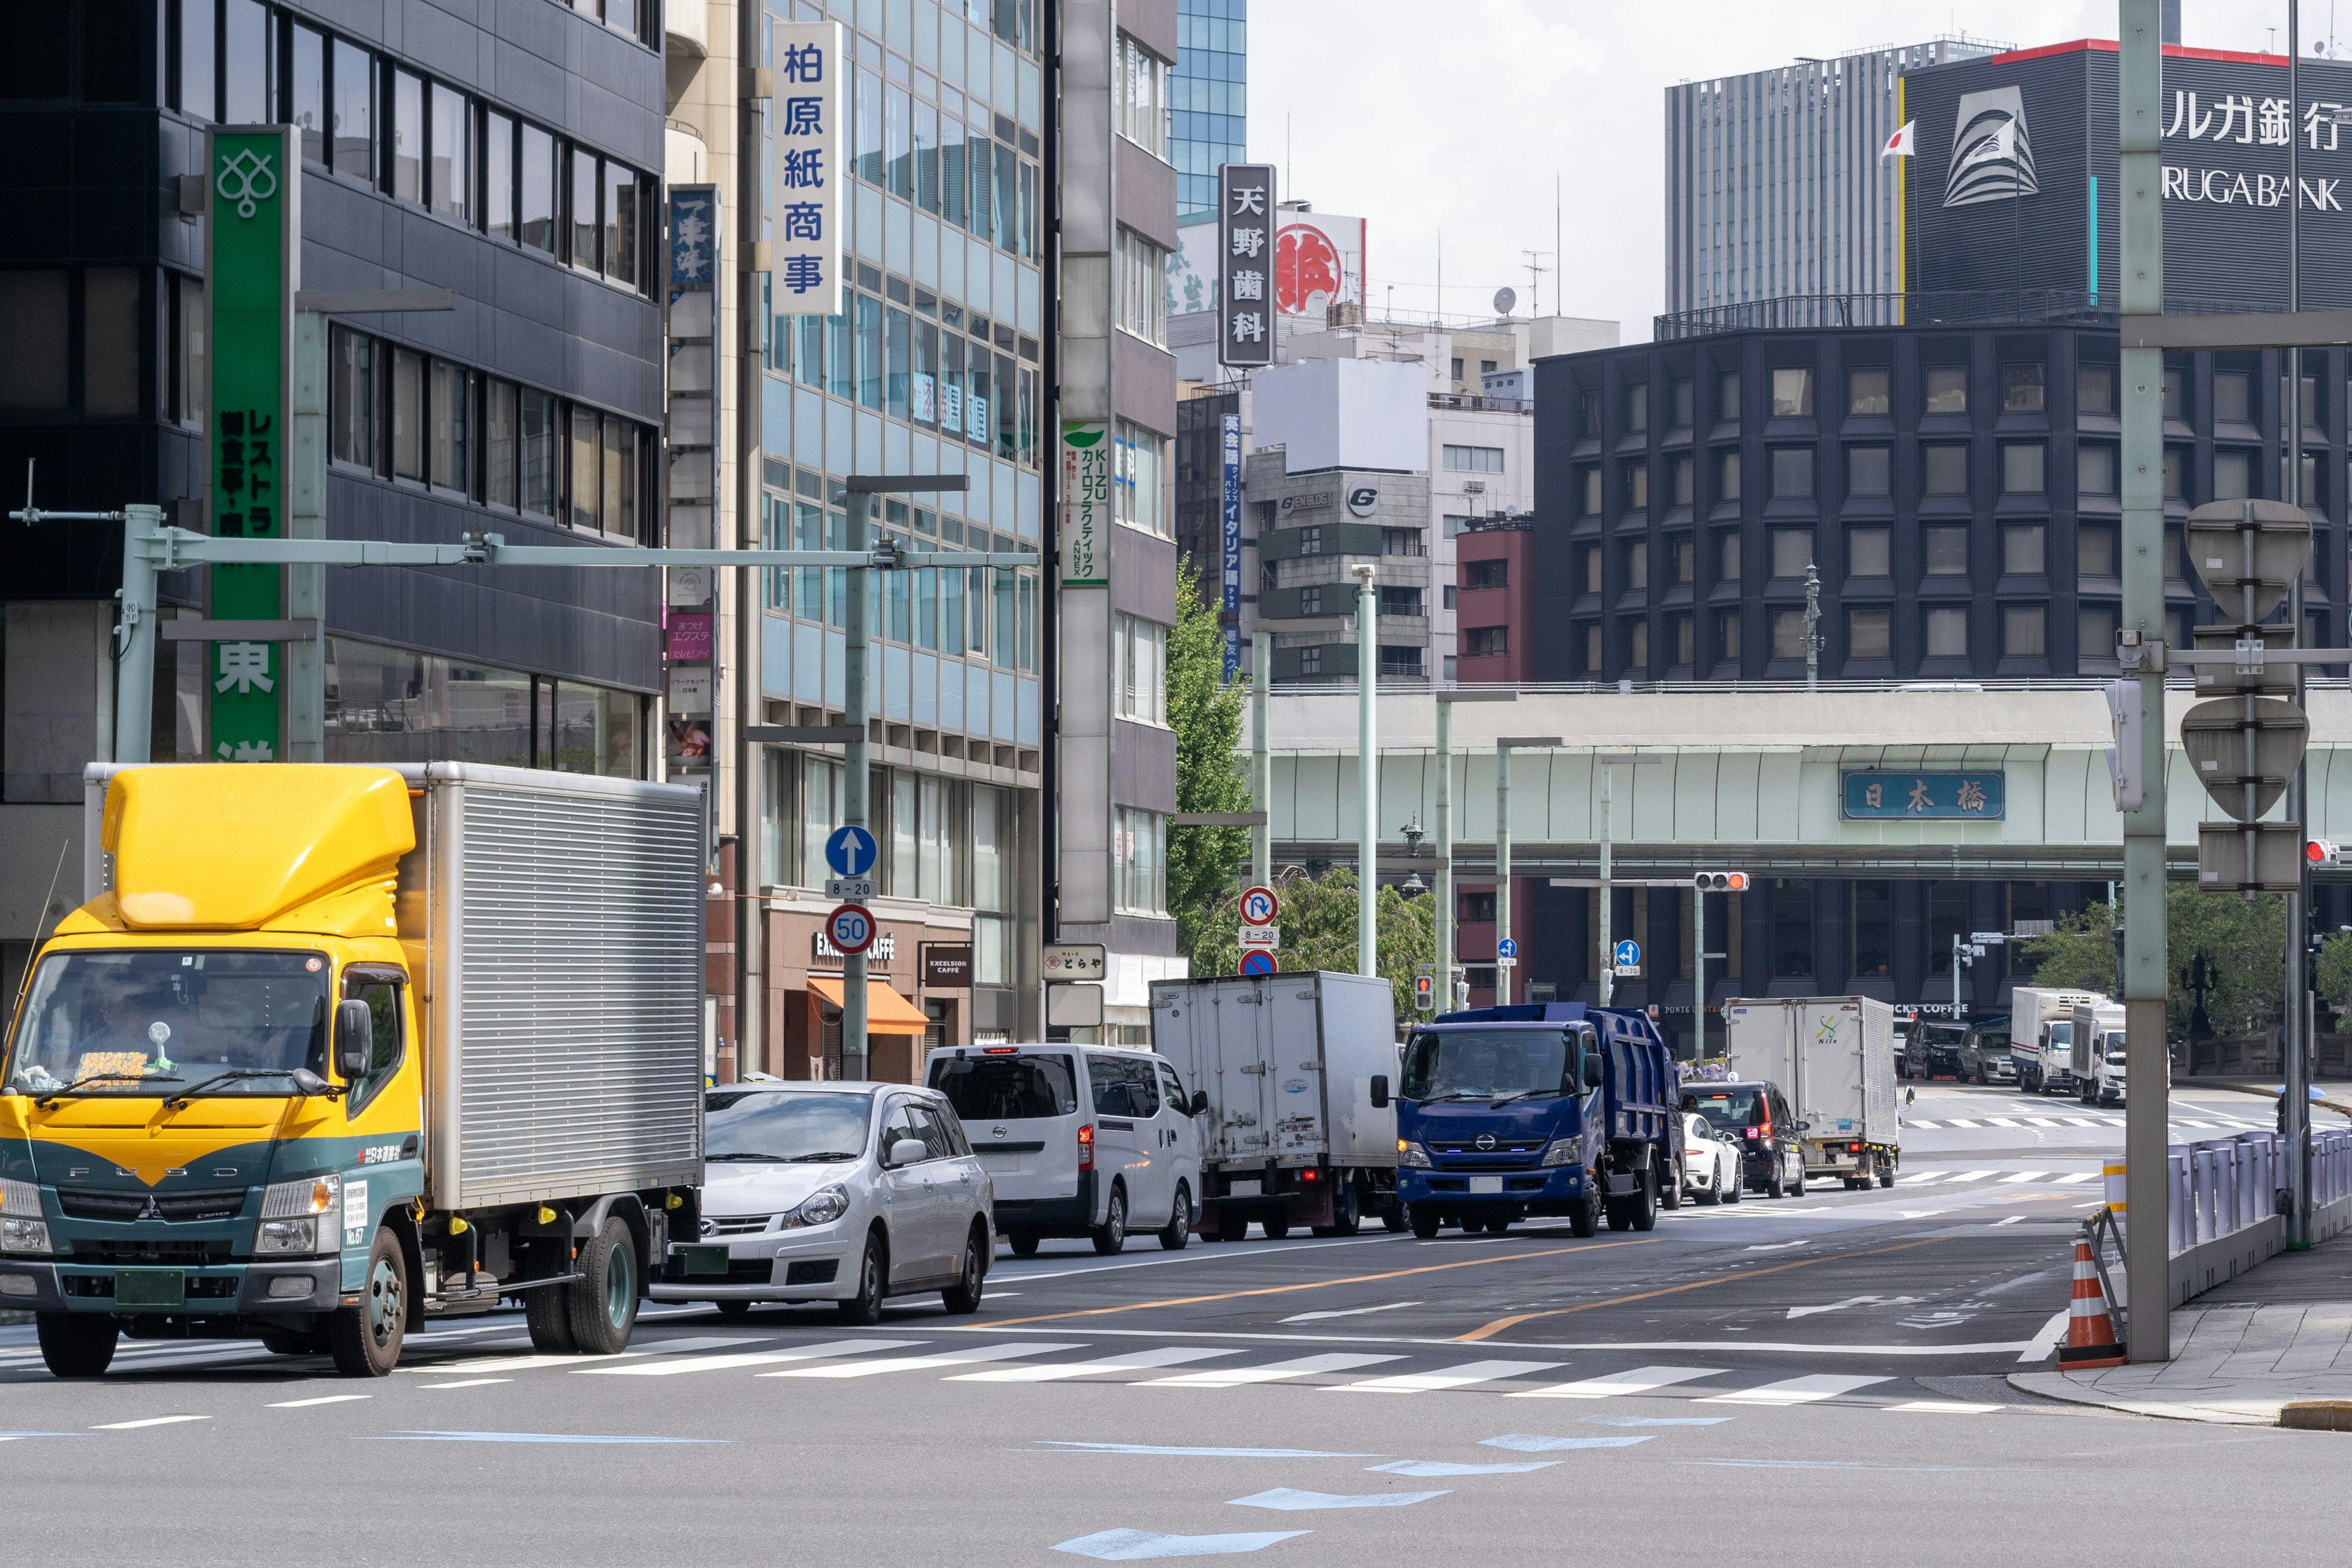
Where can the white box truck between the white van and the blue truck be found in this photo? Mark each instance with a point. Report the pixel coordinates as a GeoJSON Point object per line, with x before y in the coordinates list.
{"type": "Point", "coordinates": [1299, 1073]}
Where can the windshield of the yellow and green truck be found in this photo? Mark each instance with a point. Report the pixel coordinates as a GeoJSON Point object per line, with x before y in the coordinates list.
{"type": "Point", "coordinates": [152, 1019]}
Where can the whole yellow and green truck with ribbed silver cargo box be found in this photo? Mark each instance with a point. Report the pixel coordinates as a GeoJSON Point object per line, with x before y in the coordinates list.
{"type": "Point", "coordinates": [335, 1050]}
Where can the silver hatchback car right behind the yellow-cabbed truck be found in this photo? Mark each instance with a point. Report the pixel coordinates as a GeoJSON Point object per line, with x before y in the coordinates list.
{"type": "Point", "coordinates": [834, 1193]}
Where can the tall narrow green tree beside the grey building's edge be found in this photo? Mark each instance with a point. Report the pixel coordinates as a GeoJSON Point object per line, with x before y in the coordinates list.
{"type": "Point", "coordinates": [1208, 721]}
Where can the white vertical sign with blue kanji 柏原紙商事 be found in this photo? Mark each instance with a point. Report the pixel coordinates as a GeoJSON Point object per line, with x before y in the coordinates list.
{"type": "Point", "coordinates": [808, 173]}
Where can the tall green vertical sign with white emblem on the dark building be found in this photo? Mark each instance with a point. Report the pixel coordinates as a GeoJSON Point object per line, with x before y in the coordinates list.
{"type": "Point", "coordinates": [253, 272]}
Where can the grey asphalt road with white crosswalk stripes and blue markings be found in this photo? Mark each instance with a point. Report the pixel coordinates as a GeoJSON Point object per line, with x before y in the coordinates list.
{"type": "Point", "coordinates": [1803, 1381]}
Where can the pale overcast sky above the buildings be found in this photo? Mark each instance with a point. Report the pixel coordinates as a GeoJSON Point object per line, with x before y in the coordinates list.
{"type": "Point", "coordinates": [1455, 116]}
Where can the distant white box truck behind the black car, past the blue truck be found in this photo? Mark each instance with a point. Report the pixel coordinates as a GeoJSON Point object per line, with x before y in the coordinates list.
{"type": "Point", "coordinates": [1836, 1061]}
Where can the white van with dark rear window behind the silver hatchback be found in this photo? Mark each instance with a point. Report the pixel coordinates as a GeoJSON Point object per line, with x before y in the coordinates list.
{"type": "Point", "coordinates": [1078, 1141]}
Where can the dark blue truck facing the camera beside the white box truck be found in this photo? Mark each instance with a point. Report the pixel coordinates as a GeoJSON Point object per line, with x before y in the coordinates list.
{"type": "Point", "coordinates": [1509, 1113]}
